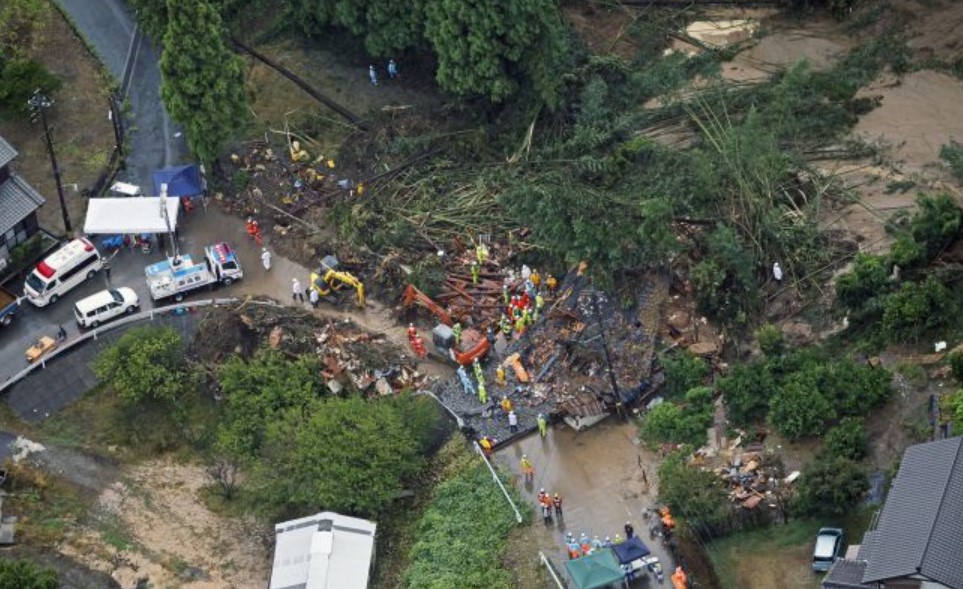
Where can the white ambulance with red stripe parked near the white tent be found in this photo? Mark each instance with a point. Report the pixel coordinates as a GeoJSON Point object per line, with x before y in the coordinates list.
{"type": "Point", "coordinates": [61, 271]}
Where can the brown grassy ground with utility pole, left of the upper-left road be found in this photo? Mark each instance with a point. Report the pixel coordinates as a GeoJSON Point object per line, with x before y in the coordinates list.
{"type": "Point", "coordinates": [82, 135]}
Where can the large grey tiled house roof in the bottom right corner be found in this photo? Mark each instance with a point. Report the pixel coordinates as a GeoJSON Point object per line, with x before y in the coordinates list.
{"type": "Point", "coordinates": [920, 530]}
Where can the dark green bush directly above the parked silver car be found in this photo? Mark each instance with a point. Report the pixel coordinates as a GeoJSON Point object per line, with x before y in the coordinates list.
{"type": "Point", "coordinates": [829, 485]}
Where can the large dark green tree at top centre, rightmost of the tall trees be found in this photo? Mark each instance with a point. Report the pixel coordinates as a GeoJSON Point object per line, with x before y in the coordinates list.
{"type": "Point", "coordinates": [485, 47]}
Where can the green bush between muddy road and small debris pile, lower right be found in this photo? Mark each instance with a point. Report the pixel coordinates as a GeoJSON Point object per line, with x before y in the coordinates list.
{"type": "Point", "coordinates": [694, 495]}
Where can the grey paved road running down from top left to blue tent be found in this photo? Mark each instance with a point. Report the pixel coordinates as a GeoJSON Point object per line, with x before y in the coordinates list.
{"type": "Point", "coordinates": [151, 137]}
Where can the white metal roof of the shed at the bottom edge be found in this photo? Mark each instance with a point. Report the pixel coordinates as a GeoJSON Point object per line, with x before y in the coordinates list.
{"type": "Point", "coordinates": [323, 551]}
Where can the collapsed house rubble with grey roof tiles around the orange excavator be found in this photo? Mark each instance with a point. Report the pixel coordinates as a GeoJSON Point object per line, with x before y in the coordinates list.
{"type": "Point", "coordinates": [565, 357]}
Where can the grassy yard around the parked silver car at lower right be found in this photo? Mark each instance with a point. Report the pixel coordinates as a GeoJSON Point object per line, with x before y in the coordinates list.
{"type": "Point", "coordinates": [779, 556]}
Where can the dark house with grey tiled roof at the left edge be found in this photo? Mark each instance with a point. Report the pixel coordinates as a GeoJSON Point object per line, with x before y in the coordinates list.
{"type": "Point", "coordinates": [18, 205]}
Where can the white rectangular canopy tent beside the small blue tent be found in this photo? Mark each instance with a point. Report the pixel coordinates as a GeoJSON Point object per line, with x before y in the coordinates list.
{"type": "Point", "coordinates": [135, 215]}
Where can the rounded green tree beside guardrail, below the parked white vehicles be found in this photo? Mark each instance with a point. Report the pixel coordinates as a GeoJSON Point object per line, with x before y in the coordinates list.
{"type": "Point", "coordinates": [146, 364]}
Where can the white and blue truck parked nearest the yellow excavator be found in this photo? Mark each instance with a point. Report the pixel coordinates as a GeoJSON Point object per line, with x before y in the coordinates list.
{"type": "Point", "coordinates": [178, 276]}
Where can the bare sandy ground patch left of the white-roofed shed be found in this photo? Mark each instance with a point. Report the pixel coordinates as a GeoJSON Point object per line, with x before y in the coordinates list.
{"type": "Point", "coordinates": [152, 525]}
